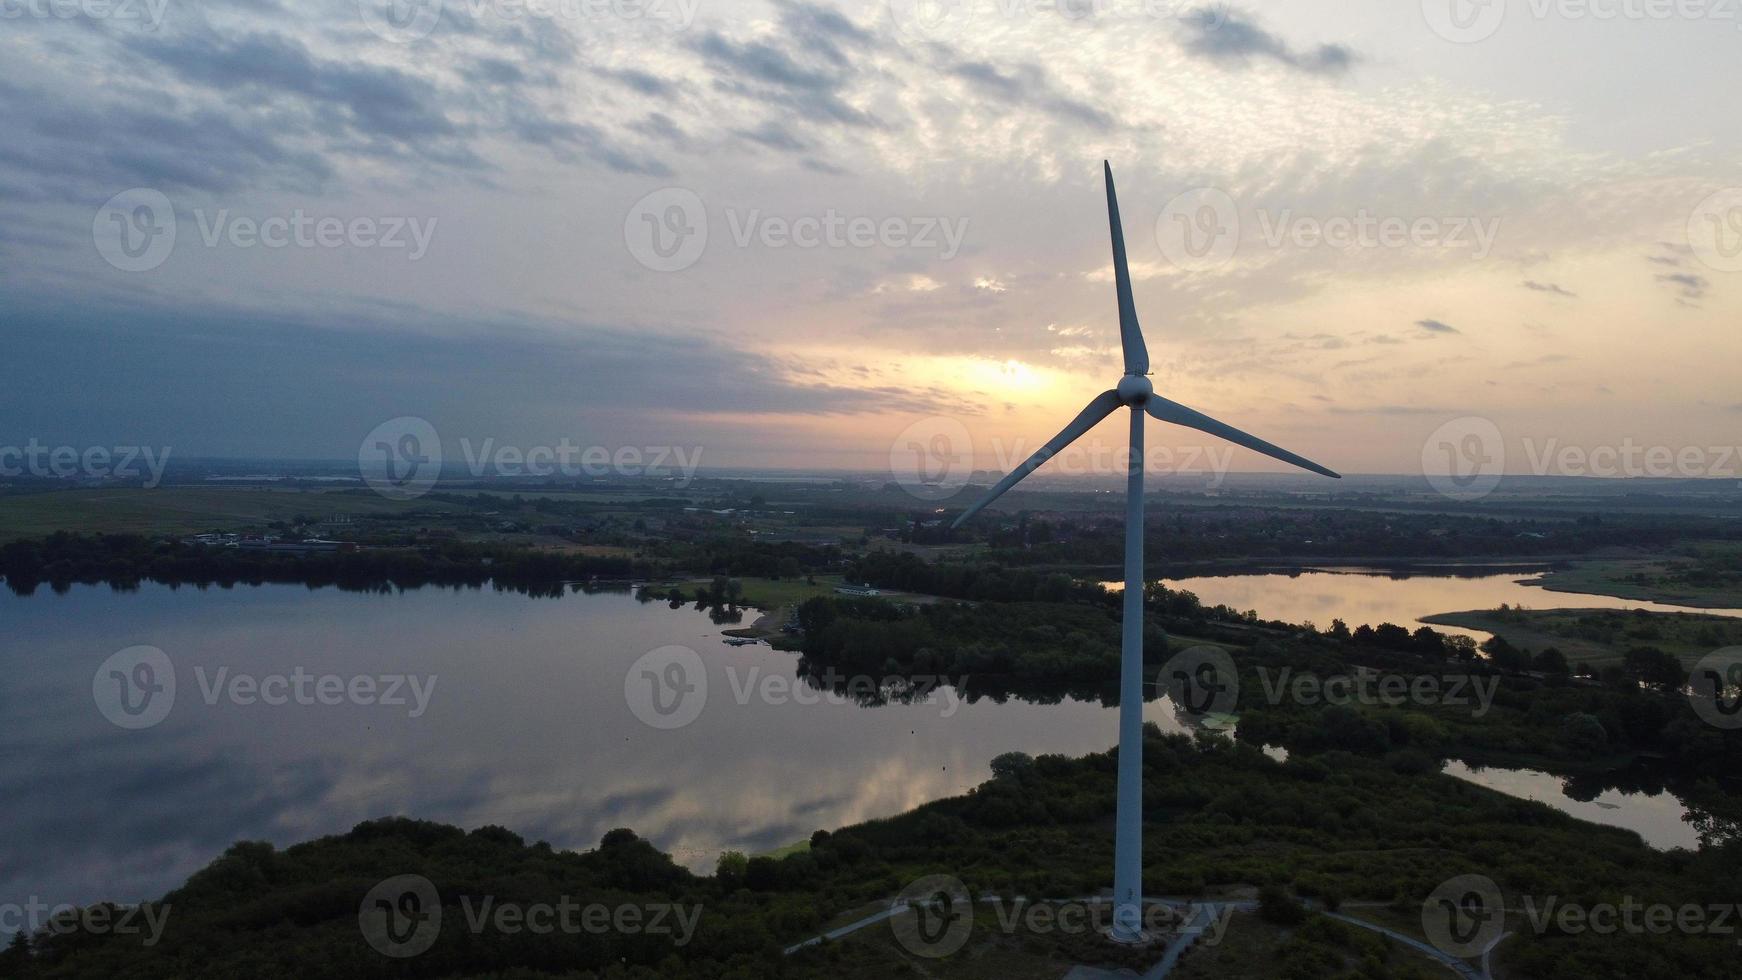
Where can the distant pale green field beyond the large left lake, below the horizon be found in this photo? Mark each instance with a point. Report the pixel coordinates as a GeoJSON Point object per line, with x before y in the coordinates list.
{"type": "Point", "coordinates": [186, 511]}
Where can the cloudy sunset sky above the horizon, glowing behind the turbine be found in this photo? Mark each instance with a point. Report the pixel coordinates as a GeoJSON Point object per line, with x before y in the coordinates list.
{"type": "Point", "coordinates": [816, 236]}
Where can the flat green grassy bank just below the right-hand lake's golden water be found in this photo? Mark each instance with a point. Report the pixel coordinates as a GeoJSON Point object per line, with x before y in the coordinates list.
{"type": "Point", "coordinates": [1602, 636]}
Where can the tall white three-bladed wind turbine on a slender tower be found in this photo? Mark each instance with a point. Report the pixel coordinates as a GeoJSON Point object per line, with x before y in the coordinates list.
{"type": "Point", "coordinates": [1137, 394]}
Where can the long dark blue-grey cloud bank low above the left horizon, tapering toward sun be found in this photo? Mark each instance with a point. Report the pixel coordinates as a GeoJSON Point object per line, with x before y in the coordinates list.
{"type": "Point", "coordinates": [307, 389]}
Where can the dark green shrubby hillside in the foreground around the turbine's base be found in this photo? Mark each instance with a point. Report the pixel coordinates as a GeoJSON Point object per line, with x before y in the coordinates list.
{"type": "Point", "coordinates": [1335, 828]}
